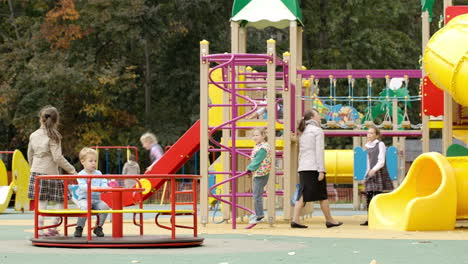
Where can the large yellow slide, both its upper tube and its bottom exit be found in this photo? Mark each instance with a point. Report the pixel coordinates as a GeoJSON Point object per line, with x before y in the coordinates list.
{"type": "Point", "coordinates": [433, 194]}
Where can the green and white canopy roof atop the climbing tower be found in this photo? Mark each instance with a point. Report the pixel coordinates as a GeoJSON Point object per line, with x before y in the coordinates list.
{"type": "Point", "coordinates": [265, 13]}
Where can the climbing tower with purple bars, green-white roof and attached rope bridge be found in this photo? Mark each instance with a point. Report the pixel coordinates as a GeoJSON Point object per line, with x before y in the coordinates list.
{"type": "Point", "coordinates": [236, 92]}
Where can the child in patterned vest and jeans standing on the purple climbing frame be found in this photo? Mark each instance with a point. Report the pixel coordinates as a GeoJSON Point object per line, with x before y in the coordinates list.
{"type": "Point", "coordinates": [260, 169]}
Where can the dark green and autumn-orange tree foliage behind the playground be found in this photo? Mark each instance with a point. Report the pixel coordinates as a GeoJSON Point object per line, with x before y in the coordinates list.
{"type": "Point", "coordinates": [88, 59]}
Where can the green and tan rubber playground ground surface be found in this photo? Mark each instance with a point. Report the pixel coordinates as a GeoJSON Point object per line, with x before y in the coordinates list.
{"type": "Point", "coordinates": [350, 243]}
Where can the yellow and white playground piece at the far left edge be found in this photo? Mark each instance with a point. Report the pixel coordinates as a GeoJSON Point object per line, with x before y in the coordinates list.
{"type": "Point", "coordinates": [17, 185]}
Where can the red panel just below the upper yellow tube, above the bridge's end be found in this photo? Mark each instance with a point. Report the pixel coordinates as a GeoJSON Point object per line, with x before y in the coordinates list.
{"type": "Point", "coordinates": [432, 99]}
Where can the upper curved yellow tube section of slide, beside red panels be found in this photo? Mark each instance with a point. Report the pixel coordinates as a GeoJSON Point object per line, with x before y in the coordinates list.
{"type": "Point", "coordinates": [446, 58]}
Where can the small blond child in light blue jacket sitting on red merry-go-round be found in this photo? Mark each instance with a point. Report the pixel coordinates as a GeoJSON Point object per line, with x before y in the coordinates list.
{"type": "Point", "coordinates": [88, 158]}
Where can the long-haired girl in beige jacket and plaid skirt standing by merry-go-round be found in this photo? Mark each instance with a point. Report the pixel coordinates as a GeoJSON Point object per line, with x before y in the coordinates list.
{"type": "Point", "coordinates": [44, 157]}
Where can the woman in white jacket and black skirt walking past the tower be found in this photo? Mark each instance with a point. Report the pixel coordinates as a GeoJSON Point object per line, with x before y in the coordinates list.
{"type": "Point", "coordinates": [313, 185]}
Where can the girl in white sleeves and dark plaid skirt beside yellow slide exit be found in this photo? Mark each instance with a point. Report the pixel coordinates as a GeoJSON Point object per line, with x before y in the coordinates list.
{"type": "Point", "coordinates": [377, 177]}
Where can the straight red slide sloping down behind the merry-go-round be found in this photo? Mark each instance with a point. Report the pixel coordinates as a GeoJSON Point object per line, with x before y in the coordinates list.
{"type": "Point", "coordinates": [169, 163]}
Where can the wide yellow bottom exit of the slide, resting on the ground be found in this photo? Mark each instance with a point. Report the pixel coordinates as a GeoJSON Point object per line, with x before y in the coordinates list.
{"type": "Point", "coordinates": [430, 198]}
